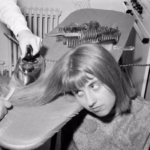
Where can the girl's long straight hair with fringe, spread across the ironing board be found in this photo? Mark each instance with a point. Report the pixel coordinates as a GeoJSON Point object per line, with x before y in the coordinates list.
{"type": "Point", "coordinates": [69, 73]}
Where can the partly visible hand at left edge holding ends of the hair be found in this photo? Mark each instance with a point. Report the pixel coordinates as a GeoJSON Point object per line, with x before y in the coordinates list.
{"type": "Point", "coordinates": [4, 105]}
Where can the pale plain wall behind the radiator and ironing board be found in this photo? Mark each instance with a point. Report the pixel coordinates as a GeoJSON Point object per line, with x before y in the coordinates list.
{"type": "Point", "coordinates": [66, 6]}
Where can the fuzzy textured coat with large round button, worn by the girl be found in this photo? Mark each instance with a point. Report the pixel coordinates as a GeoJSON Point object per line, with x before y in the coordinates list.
{"type": "Point", "coordinates": [124, 132]}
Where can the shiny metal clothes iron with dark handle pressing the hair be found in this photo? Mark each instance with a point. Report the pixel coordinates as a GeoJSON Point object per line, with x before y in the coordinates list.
{"type": "Point", "coordinates": [29, 69]}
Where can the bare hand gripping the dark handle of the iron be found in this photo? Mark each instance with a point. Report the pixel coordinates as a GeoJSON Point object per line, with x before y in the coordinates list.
{"type": "Point", "coordinates": [25, 38]}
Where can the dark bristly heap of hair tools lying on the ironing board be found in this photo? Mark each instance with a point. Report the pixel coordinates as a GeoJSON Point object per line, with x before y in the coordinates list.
{"type": "Point", "coordinates": [73, 34]}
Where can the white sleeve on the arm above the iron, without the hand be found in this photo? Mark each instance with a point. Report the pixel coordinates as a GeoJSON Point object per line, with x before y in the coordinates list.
{"type": "Point", "coordinates": [11, 15]}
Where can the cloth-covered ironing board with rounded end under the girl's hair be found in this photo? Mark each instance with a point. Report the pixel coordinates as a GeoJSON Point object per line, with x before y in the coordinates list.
{"type": "Point", "coordinates": [28, 128]}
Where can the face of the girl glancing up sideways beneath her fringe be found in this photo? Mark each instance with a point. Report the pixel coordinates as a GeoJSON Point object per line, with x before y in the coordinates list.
{"type": "Point", "coordinates": [96, 97]}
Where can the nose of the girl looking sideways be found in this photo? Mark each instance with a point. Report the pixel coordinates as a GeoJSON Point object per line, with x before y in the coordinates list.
{"type": "Point", "coordinates": [91, 99]}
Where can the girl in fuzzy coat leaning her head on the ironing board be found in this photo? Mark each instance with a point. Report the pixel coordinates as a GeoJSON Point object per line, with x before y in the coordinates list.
{"type": "Point", "coordinates": [114, 118]}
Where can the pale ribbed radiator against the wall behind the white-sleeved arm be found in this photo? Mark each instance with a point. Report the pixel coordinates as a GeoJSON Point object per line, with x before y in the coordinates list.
{"type": "Point", "coordinates": [40, 21]}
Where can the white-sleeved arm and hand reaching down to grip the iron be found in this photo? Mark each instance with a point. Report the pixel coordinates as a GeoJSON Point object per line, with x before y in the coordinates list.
{"type": "Point", "coordinates": [11, 15]}
